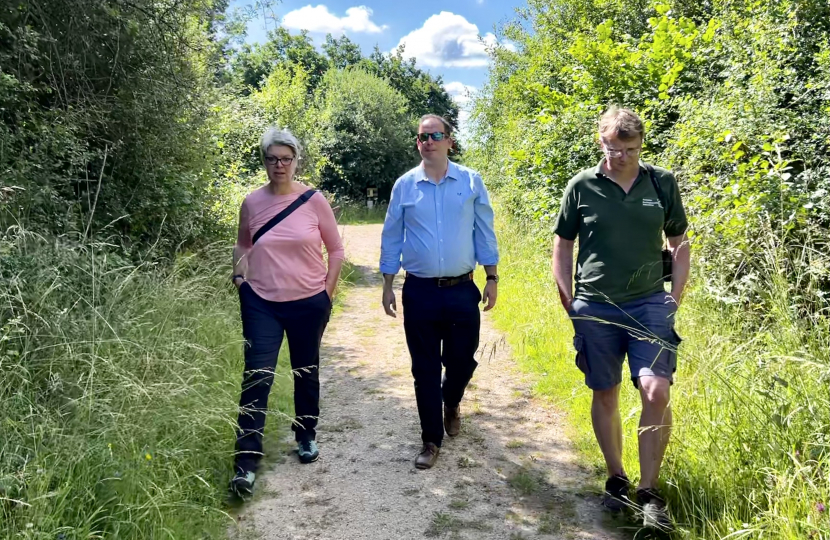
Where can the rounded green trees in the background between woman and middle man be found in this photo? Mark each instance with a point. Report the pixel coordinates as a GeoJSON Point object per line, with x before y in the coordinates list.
{"type": "Point", "coordinates": [359, 119]}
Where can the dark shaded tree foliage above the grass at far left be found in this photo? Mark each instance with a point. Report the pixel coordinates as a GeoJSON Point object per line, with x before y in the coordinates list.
{"type": "Point", "coordinates": [103, 113]}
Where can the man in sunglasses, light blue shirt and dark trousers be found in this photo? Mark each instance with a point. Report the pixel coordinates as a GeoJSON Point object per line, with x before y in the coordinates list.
{"type": "Point", "coordinates": [438, 226]}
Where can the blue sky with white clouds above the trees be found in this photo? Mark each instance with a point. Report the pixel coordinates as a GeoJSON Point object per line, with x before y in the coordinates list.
{"type": "Point", "coordinates": [442, 36]}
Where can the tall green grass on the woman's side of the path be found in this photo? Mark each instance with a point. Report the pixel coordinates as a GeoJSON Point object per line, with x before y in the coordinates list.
{"type": "Point", "coordinates": [119, 386]}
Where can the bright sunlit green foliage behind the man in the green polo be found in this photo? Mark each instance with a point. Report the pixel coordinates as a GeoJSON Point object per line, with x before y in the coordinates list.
{"type": "Point", "coordinates": [734, 95]}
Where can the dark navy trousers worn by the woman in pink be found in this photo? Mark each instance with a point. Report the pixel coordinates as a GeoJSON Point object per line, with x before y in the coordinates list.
{"type": "Point", "coordinates": [263, 325]}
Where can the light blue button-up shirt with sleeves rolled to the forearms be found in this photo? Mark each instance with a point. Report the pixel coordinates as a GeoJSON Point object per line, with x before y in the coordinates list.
{"type": "Point", "coordinates": [438, 230]}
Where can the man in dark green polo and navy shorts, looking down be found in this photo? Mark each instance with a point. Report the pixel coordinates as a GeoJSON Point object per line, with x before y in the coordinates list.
{"type": "Point", "coordinates": [619, 211]}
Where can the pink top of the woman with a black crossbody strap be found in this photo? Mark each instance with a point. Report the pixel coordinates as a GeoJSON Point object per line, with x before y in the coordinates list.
{"type": "Point", "coordinates": [287, 262]}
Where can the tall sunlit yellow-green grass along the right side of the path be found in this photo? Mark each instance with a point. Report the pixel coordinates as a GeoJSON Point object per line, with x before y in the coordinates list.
{"type": "Point", "coordinates": [750, 451]}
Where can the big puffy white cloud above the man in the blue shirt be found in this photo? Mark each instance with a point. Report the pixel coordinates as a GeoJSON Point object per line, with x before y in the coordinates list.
{"type": "Point", "coordinates": [448, 40]}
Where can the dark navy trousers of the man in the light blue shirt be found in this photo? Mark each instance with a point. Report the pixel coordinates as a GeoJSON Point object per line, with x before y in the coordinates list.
{"type": "Point", "coordinates": [442, 328]}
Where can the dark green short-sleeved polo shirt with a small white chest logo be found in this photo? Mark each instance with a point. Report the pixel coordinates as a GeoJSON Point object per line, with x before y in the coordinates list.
{"type": "Point", "coordinates": [620, 235]}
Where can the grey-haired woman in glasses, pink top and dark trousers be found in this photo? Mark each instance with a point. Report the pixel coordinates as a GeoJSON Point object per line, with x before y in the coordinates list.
{"type": "Point", "coordinates": [284, 287]}
